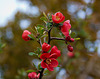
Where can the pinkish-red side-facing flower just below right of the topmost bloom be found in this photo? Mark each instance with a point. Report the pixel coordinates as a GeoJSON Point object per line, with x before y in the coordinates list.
{"type": "Point", "coordinates": [65, 27]}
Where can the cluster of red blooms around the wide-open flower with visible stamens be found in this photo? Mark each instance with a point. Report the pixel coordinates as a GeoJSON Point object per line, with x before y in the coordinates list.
{"type": "Point", "coordinates": [49, 59]}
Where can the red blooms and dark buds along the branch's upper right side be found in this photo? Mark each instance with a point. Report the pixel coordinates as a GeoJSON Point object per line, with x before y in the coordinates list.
{"type": "Point", "coordinates": [57, 18]}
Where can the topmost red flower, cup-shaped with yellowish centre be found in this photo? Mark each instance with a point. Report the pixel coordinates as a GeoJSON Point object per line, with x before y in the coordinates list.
{"type": "Point", "coordinates": [58, 17]}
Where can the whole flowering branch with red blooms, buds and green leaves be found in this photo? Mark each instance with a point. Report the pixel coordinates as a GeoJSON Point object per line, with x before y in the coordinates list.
{"type": "Point", "coordinates": [49, 57]}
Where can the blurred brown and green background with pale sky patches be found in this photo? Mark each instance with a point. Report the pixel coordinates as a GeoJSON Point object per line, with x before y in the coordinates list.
{"type": "Point", "coordinates": [18, 15]}
